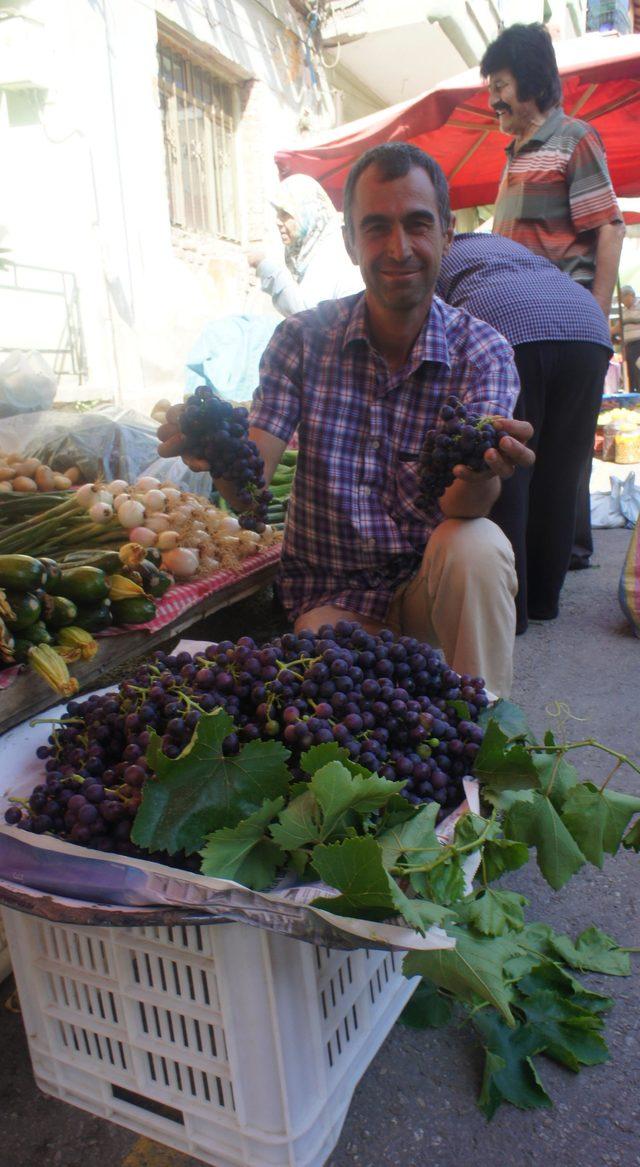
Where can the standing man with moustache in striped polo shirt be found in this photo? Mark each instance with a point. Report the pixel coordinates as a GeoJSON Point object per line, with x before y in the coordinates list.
{"type": "Point", "coordinates": [555, 195]}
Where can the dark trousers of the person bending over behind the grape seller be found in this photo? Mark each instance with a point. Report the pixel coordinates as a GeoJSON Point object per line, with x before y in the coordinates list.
{"type": "Point", "coordinates": [561, 393]}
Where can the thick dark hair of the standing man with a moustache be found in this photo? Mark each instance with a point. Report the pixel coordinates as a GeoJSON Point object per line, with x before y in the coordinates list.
{"type": "Point", "coordinates": [527, 52]}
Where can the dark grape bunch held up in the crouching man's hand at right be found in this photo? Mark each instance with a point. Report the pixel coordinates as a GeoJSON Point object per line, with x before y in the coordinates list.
{"type": "Point", "coordinates": [461, 439]}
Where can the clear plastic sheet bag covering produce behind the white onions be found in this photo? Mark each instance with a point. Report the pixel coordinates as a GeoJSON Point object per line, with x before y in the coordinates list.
{"type": "Point", "coordinates": [110, 443]}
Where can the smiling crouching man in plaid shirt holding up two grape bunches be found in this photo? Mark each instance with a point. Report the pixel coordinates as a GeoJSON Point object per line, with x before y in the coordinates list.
{"type": "Point", "coordinates": [363, 380]}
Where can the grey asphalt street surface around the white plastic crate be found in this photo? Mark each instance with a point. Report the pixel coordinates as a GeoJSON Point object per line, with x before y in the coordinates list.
{"type": "Point", "coordinates": [416, 1103]}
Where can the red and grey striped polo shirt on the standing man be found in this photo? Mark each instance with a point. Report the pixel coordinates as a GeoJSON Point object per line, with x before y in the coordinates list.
{"type": "Point", "coordinates": [555, 193]}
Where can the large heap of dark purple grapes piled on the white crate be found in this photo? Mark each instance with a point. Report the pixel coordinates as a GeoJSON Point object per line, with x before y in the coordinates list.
{"type": "Point", "coordinates": [391, 702]}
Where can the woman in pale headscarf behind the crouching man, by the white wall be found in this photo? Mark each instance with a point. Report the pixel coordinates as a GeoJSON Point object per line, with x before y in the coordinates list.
{"type": "Point", "coordinates": [316, 264]}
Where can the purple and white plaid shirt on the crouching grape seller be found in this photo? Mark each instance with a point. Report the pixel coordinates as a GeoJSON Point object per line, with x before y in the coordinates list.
{"type": "Point", "coordinates": [354, 533]}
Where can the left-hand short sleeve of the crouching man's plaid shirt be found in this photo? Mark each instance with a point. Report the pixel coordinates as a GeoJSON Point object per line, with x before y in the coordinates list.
{"type": "Point", "coordinates": [276, 406]}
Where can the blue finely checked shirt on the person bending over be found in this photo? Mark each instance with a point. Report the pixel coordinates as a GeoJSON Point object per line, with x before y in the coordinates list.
{"type": "Point", "coordinates": [523, 296]}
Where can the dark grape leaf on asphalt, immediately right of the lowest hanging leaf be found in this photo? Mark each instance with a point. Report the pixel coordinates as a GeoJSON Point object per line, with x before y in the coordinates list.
{"type": "Point", "coordinates": [569, 1033]}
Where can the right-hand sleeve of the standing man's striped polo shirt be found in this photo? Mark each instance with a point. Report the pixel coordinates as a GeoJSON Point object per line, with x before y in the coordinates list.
{"type": "Point", "coordinates": [592, 198]}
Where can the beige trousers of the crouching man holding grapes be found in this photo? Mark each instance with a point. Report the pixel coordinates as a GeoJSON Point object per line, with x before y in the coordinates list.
{"type": "Point", "coordinates": [462, 600]}
